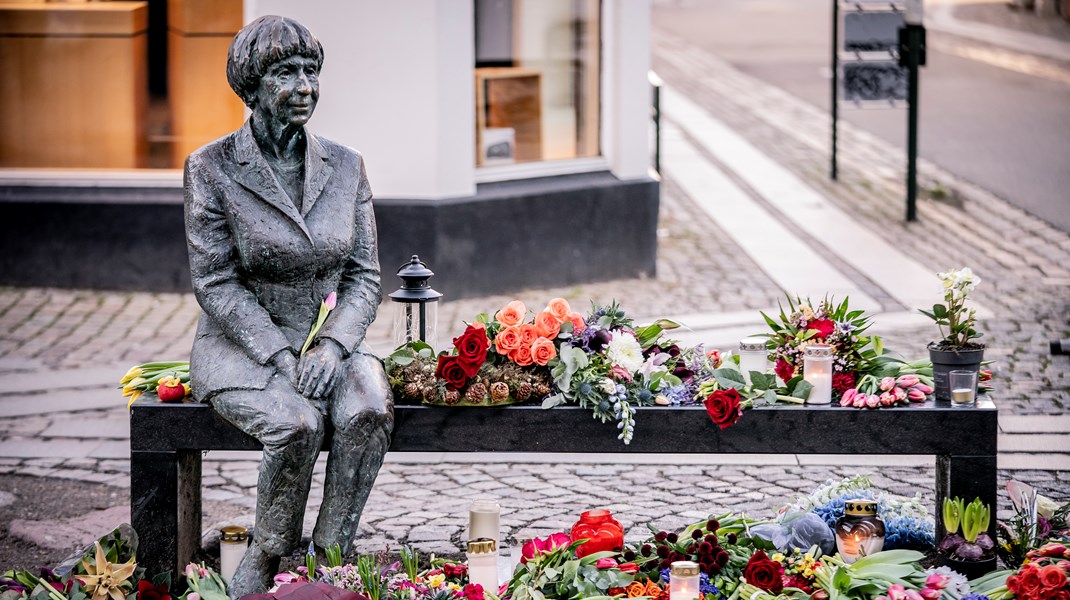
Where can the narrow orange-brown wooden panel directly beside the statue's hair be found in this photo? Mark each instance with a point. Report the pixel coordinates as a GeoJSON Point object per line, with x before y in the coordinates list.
{"type": "Point", "coordinates": [203, 105]}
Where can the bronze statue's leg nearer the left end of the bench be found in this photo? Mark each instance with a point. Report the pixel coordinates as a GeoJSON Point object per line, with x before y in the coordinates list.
{"type": "Point", "coordinates": [292, 432]}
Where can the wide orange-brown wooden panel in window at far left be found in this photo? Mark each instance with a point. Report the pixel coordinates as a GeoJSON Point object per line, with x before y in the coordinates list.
{"type": "Point", "coordinates": [79, 85]}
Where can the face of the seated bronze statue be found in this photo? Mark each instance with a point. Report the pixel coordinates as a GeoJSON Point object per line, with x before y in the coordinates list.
{"type": "Point", "coordinates": [289, 90]}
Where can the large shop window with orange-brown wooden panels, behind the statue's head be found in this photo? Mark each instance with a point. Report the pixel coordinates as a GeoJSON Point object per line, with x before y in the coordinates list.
{"type": "Point", "coordinates": [120, 85]}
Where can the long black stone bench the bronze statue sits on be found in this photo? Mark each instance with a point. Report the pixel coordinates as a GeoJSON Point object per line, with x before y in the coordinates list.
{"type": "Point", "coordinates": [167, 442]}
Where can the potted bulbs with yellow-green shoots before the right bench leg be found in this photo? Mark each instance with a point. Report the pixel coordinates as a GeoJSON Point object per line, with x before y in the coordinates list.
{"type": "Point", "coordinates": [967, 547]}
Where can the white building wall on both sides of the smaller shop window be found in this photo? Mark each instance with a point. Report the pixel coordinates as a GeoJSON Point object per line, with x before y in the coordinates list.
{"type": "Point", "coordinates": [399, 85]}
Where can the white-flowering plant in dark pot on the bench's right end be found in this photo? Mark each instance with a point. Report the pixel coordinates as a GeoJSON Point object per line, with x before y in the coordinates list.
{"type": "Point", "coordinates": [956, 351]}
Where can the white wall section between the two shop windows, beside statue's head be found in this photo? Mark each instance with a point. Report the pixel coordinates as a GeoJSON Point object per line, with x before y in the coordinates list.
{"type": "Point", "coordinates": [398, 85]}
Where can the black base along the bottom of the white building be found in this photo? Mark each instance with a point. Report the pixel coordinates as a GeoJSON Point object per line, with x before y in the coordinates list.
{"type": "Point", "coordinates": [511, 236]}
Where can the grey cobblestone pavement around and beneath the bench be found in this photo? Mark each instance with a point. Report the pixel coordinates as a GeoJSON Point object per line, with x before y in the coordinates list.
{"type": "Point", "coordinates": [78, 343]}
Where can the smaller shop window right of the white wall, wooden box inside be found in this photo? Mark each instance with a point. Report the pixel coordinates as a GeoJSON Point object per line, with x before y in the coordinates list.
{"type": "Point", "coordinates": [538, 81]}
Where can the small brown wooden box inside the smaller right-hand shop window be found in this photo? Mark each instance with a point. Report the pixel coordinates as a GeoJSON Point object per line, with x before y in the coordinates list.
{"type": "Point", "coordinates": [509, 97]}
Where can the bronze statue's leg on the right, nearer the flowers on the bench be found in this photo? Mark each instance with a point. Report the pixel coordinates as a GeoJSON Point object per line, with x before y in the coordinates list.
{"type": "Point", "coordinates": [362, 412]}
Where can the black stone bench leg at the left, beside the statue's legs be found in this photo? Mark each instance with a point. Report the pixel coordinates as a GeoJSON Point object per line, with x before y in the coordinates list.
{"type": "Point", "coordinates": [166, 509]}
